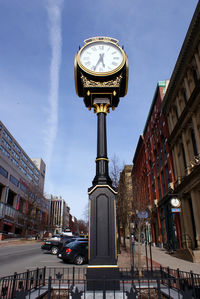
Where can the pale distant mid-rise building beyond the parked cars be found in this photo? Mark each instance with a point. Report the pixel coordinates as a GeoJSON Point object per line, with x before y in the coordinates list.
{"type": "Point", "coordinates": [59, 214]}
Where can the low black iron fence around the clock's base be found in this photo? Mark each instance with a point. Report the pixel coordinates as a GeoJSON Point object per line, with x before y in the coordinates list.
{"type": "Point", "coordinates": [64, 282]}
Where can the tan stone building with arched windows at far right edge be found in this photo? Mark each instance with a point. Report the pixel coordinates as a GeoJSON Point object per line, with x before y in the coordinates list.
{"type": "Point", "coordinates": [181, 106]}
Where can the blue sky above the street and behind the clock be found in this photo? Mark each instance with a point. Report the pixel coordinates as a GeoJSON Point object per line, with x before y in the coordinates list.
{"type": "Point", "coordinates": [38, 103]}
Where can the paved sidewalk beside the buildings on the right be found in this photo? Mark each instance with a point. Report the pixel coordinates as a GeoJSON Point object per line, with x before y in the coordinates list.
{"type": "Point", "coordinates": [159, 257]}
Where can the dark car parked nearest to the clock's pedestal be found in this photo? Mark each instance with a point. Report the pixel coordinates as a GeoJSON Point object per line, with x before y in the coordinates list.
{"type": "Point", "coordinates": [75, 252]}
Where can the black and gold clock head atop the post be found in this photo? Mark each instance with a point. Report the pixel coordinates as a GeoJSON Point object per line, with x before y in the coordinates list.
{"type": "Point", "coordinates": [101, 69]}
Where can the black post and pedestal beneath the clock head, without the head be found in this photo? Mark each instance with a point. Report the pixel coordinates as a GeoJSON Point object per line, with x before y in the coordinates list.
{"type": "Point", "coordinates": [102, 208]}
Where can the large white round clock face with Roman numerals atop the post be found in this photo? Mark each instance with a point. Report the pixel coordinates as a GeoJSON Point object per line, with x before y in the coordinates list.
{"type": "Point", "coordinates": [101, 58]}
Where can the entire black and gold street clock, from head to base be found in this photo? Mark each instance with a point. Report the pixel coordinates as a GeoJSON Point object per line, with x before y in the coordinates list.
{"type": "Point", "coordinates": [101, 85]}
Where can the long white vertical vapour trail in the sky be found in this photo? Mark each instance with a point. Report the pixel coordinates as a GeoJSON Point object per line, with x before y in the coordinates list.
{"type": "Point", "coordinates": [54, 8]}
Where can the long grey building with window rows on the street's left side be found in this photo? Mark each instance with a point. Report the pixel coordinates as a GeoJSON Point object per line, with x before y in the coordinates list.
{"type": "Point", "coordinates": [21, 189]}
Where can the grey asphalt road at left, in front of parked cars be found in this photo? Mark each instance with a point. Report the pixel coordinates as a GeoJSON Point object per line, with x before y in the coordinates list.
{"type": "Point", "coordinates": [20, 257]}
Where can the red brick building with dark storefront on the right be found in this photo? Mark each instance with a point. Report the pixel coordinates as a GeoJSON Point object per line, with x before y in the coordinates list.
{"type": "Point", "coordinates": [153, 174]}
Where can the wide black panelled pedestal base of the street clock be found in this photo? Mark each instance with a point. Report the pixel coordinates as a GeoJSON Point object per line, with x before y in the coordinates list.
{"type": "Point", "coordinates": [102, 271]}
